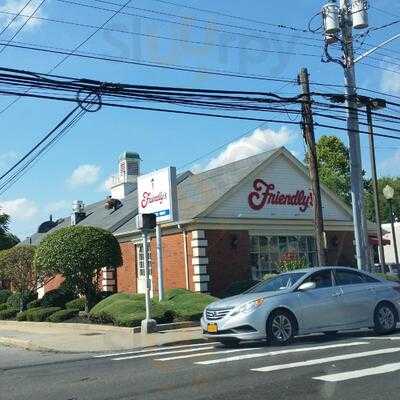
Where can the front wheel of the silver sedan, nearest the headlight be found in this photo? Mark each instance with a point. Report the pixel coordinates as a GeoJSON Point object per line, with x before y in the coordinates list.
{"type": "Point", "coordinates": [280, 328]}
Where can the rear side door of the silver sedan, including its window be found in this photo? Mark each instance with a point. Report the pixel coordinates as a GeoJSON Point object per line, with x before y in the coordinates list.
{"type": "Point", "coordinates": [357, 298]}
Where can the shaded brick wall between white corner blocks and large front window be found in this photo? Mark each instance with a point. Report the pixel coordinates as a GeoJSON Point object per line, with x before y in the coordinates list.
{"type": "Point", "coordinates": [229, 262]}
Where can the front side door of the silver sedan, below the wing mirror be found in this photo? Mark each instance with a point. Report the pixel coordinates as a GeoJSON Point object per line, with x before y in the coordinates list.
{"type": "Point", "coordinates": [319, 307]}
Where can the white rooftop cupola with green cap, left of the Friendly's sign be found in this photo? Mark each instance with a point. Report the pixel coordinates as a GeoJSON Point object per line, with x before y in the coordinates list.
{"type": "Point", "coordinates": [128, 171]}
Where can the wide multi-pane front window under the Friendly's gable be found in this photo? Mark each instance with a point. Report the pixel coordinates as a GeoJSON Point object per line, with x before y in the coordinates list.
{"type": "Point", "coordinates": [267, 251]}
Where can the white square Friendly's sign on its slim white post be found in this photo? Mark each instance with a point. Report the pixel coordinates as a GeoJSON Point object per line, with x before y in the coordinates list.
{"type": "Point", "coordinates": [157, 194]}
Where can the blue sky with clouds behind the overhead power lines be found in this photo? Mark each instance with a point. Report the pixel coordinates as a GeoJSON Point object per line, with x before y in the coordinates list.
{"type": "Point", "coordinates": [78, 166]}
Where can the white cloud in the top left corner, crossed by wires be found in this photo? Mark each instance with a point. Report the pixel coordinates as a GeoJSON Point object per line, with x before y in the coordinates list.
{"type": "Point", "coordinates": [15, 7]}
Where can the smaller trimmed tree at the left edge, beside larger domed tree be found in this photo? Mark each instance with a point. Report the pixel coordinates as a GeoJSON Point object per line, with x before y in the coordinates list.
{"type": "Point", "coordinates": [17, 267]}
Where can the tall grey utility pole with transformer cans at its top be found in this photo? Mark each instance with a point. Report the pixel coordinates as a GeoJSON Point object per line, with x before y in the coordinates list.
{"type": "Point", "coordinates": [342, 21]}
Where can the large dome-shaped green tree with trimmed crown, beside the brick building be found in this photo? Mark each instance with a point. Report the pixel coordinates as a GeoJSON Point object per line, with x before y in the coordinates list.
{"type": "Point", "coordinates": [79, 253]}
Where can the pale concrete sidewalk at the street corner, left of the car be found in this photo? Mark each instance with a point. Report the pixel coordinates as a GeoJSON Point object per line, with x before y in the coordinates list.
{"type": "Point", "coordinates": [82, 338]}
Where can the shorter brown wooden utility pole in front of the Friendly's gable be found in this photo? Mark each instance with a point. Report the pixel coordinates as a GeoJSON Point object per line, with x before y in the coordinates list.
{"type": "Point", "coordinates": [309, 137]}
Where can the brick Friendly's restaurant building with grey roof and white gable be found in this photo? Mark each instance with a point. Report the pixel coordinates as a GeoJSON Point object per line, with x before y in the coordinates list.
{"type": "Point", "coordinates": [236, 222]}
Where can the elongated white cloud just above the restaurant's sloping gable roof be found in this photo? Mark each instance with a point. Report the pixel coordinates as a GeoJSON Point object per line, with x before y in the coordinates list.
{"type": "Point", "coordinates": [259, 141]}
